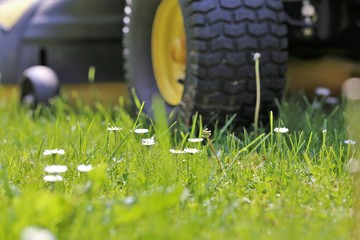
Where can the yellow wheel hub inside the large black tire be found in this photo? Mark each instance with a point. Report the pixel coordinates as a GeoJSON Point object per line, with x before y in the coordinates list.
{"type": "Point", "coordinates": [168, 50]}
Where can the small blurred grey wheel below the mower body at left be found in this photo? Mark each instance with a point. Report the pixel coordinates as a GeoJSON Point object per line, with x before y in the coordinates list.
{"type": "Point", "coordinates": [38, 85]}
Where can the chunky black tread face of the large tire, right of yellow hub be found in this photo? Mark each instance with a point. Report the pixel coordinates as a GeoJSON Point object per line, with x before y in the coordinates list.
{"type": "Point", "coordinates": [222, 37]}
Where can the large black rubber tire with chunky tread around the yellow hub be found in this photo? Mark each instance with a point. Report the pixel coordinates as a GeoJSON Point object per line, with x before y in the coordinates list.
{"type": "Point", "coordinates": [222, 36]}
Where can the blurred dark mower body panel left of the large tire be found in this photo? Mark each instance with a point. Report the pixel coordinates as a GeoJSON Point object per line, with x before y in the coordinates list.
{"type": "Point", "coordinates": [67, 36]}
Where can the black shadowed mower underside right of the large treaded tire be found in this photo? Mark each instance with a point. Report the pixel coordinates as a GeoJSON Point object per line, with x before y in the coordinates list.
{"type": "Point", "coordinates": [333, 27]}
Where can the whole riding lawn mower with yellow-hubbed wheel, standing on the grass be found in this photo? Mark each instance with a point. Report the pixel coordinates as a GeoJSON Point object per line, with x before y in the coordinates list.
{"type": "Point", "coordinates": [197, 55]}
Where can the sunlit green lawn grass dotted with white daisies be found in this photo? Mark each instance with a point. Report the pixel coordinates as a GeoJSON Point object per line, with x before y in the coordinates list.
{"type": "Point", "coordinates": [275, 186]}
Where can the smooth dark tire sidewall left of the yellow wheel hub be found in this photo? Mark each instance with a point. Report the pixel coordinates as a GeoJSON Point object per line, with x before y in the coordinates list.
{"type": "Point", "coordinates": [139, 15]}
